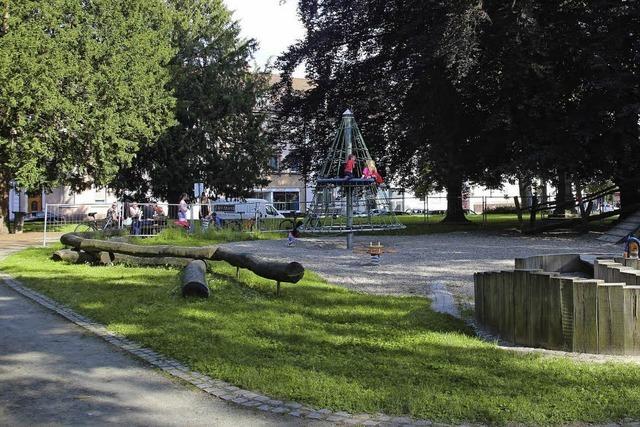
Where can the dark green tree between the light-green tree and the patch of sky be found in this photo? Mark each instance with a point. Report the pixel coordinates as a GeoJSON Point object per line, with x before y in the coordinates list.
{"type": "Point", "coordinates": [218, 139]}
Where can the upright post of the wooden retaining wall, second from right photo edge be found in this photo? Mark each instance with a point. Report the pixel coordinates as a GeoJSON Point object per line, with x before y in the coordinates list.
{"type": "Point", "coordinates": [610, 318]}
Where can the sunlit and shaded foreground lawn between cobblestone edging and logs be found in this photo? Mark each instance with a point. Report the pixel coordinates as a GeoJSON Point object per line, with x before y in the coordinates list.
{"type": "Point", "coordinates": [329, 347]}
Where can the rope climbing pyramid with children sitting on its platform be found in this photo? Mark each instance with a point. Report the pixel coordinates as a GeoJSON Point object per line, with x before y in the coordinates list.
{"type": "Point", "coordinates": [350, 195]}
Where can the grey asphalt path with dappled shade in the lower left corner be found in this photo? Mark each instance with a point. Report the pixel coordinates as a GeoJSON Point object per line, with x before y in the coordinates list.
{"type": "Point", "coordinates": [55, 373]}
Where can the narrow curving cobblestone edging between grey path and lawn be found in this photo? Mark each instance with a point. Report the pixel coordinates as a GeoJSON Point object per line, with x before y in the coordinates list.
{"type": "Point", "coordinates": [217, 388]}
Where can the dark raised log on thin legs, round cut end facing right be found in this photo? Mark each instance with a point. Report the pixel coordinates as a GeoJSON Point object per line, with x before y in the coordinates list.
{"type": "Point", "coordinates": [290, 272]}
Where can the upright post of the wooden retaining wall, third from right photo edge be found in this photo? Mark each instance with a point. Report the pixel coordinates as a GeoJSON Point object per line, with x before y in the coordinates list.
{"type": "Point", "coordinates": [585, 318]}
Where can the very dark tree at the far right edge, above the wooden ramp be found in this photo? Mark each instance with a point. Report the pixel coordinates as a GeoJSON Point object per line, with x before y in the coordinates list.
{"type": "Point", "coordinates": [568, 89]}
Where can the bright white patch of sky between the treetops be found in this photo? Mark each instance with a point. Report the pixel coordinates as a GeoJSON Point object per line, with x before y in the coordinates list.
{"type": "Point", "coordinates": [275, 26]}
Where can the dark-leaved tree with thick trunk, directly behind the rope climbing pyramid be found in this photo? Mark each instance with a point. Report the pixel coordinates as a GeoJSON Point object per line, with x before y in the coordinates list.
{"type": "Point", "coordinates": [401, 66]}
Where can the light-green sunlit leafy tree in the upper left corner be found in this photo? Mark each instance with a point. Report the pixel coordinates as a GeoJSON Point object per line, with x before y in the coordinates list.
{"type": "Point", "coordinates": [82, 89]}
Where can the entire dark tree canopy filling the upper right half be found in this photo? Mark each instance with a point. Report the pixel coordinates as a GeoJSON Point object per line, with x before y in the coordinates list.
{"type": "Point", "coordinates": [447, 92]}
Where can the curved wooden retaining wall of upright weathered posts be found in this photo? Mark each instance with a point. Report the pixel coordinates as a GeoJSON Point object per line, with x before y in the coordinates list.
{"type": "Point", "coordinates": [536, 308]}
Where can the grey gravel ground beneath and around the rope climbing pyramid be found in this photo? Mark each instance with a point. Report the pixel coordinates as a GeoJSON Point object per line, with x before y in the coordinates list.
{"type": "Point", "coordinates": [439, 266]}
